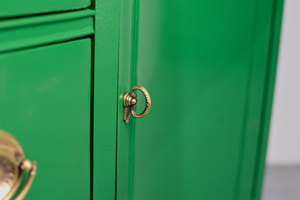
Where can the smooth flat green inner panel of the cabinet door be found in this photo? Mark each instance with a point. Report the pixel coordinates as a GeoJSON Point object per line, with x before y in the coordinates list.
{"type": "Point", "coordinates": [195, 60]}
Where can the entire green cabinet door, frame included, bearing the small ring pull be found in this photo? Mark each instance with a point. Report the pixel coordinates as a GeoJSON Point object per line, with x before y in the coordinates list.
{"type": "Point", "coordinates": [205, 65]}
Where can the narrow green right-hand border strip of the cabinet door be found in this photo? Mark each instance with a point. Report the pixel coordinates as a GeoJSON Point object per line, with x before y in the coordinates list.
{"type": "Point", "coordinates": [265, 50]}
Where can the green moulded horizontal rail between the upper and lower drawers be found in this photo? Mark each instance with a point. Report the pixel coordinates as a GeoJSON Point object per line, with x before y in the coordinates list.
{"type": "Point", "coordinates": [40, 30]}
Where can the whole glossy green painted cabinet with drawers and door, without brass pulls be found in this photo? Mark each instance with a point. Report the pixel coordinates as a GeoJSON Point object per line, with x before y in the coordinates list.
{"type": "Point", "coordinates": [209, 67]}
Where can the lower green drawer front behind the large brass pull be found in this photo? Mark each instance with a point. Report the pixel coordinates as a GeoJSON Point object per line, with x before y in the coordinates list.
{"type": "Point", "coordinates": [45, 104]}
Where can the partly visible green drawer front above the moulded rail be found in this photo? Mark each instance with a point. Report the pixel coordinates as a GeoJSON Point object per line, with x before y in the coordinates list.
{"type": "Point", "coordinates": [9, 8]}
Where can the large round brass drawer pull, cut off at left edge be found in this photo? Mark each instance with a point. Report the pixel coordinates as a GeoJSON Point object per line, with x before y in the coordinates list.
{"type": "Point", "coordinates": [13, 165]}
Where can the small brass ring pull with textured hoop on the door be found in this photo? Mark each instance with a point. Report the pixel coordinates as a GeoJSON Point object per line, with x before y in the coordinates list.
{"type": "Point", "coordinates": [130, 100]}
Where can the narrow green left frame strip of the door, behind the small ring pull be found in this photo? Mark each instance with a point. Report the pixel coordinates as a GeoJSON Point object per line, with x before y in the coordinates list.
{"type": "Point", "coordinates": [127, 79]}
